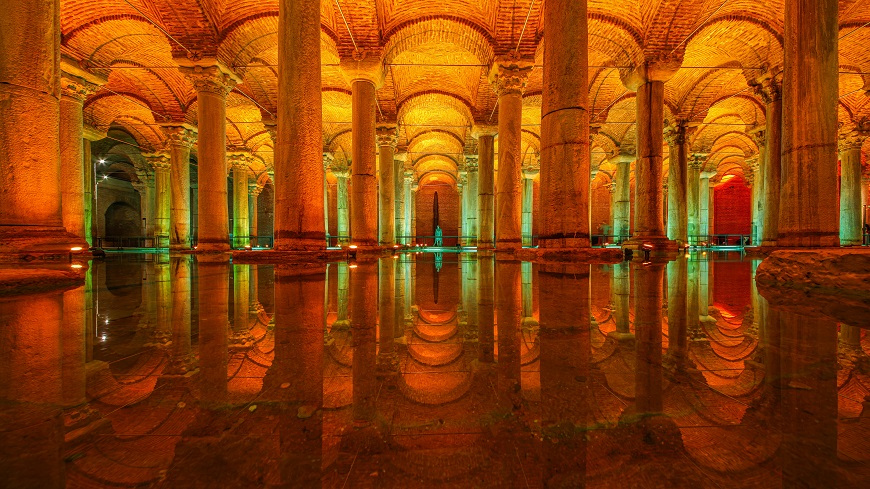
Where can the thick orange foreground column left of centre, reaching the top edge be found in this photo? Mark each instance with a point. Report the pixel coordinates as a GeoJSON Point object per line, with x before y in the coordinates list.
{"type": "Point", "coordinates": [299, 145]}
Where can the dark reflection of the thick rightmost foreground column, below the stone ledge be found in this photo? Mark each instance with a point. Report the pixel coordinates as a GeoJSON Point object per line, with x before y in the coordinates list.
{"type": "Point", "coordinates": [809, 401]}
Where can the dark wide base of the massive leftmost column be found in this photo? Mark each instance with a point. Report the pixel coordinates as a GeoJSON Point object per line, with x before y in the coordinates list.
{"type": "Point", "coordinates": [26, 242]}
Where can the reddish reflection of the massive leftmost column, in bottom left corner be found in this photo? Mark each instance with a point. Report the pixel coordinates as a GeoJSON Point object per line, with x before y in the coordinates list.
{"type": "Point", "coordinates": [31, 371]}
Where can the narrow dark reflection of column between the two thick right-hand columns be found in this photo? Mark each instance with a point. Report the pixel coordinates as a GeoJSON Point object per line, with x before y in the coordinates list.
{"type": "Point", "coordinates": [648, 334]}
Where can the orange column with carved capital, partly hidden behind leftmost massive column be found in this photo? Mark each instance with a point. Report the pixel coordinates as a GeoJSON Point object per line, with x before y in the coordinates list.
{"type": "Point", "coordinates": [74, 90]}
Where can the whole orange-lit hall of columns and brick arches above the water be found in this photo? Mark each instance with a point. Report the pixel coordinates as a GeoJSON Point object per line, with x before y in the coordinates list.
{"type": "Point", "coordinates": [352, 114]}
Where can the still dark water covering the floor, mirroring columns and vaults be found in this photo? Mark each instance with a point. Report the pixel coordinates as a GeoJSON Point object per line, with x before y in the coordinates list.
{"type": "Point", "coordinates": [428, 371]}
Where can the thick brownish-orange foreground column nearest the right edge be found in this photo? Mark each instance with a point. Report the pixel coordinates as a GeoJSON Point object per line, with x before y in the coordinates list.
{"type": "Point", "coordinates": [808, 206]}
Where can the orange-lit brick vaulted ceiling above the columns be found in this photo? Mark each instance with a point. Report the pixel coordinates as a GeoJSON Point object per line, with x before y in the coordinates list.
{"type": "Point", "coordinates": [437, 55]}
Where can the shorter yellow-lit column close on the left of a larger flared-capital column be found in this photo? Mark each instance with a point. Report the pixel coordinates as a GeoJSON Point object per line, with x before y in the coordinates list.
{"type": "Point", "coordinates": [181, 139]}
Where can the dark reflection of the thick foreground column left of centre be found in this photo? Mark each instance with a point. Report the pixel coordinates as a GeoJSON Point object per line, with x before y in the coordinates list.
{"type": "Point", "coordinates": [296, 374]}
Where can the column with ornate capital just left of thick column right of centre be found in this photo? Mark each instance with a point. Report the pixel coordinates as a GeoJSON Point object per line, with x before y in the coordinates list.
{"type": "Point", "coordinates": [508, 78]}
